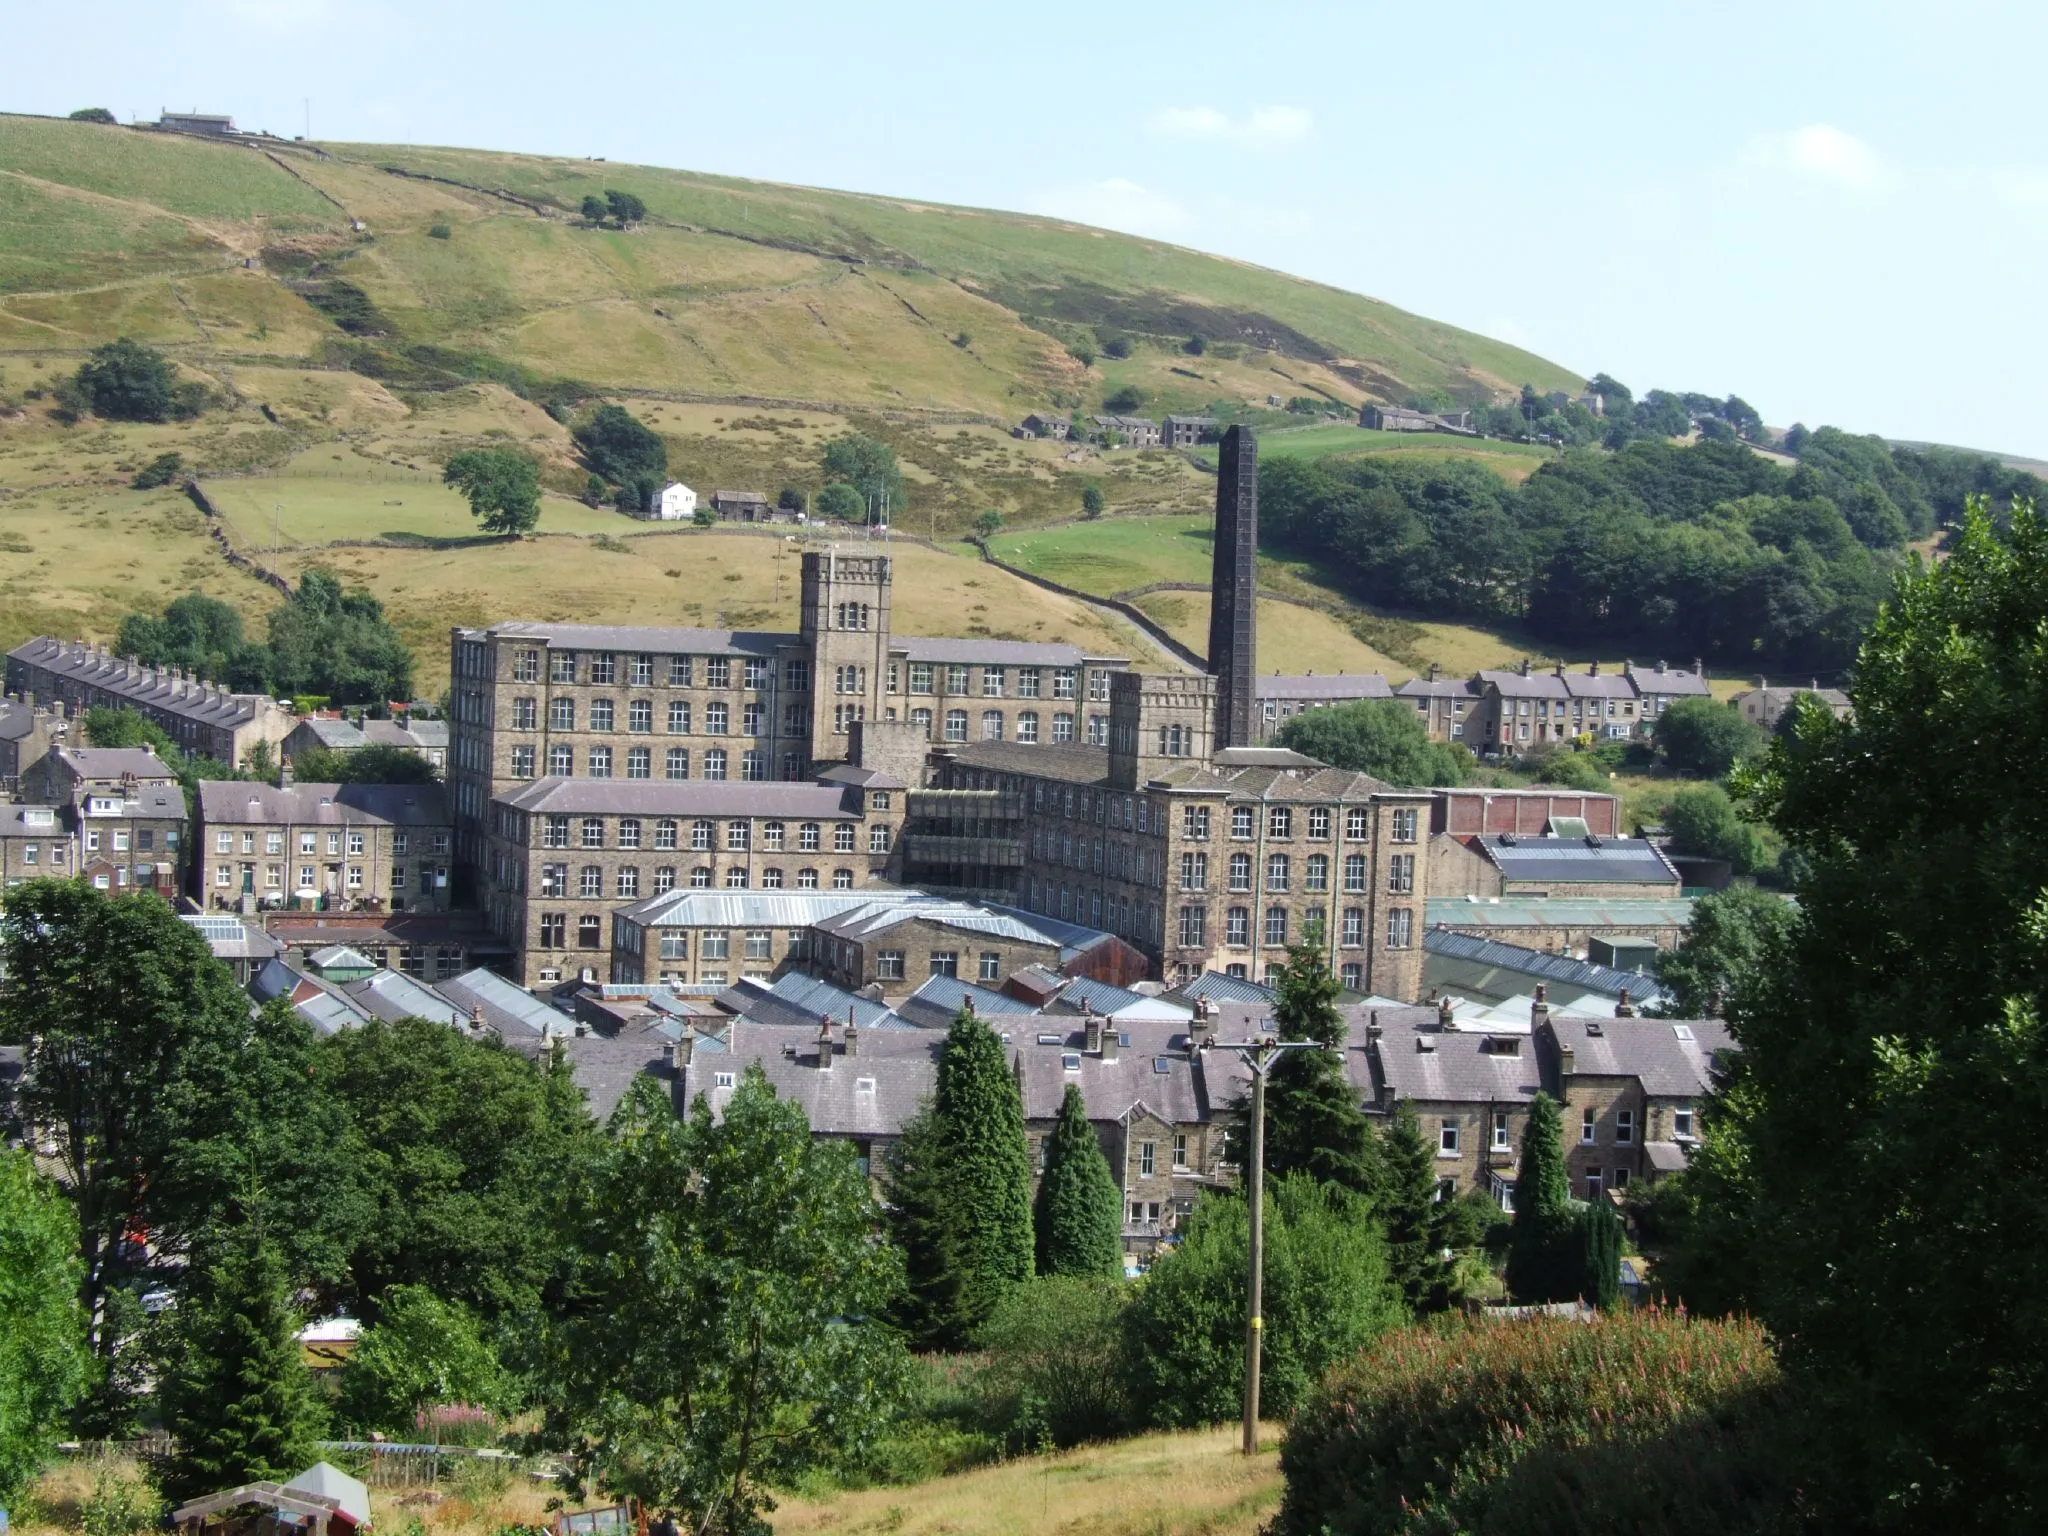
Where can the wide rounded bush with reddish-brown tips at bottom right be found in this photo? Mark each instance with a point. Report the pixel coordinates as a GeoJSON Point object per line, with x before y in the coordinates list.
{"type": "Point", "coordinates": [1428, 1431]}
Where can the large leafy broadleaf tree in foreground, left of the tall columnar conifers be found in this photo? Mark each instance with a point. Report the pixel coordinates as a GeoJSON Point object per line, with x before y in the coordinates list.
{"type": "Point", "coordinates": [720, 1332]}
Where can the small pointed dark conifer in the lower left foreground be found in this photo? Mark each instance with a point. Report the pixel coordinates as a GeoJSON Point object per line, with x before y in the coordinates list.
{"type": "Point", "coordinates": [234, 1388]}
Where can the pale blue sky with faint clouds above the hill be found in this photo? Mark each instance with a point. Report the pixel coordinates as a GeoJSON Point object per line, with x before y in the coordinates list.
{"type": "Point", "coordinates": [1838, 212]}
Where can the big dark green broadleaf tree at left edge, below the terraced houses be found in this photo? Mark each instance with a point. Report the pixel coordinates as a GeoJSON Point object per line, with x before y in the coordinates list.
{"type": "Point", "coordinates": [165, 1093]}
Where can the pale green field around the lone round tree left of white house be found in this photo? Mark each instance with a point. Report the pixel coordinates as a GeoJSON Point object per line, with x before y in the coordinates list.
{"type": "Point", "coordinates": [316, 511]}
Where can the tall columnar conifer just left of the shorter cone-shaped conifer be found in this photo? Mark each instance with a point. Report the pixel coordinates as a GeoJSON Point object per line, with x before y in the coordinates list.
{"type": "Point", "coordinates": [984, 1164]}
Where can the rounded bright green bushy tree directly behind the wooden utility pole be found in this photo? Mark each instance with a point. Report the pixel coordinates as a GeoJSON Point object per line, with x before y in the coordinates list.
{"type": "Point", "coordinates": [1326, 1297]}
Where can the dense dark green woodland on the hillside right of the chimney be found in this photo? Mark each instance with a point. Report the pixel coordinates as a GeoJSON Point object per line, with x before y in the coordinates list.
{"type": "Point", "coordinates": [1703, 550]}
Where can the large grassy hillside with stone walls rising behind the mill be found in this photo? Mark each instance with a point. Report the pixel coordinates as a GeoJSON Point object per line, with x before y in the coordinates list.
{"type": "Point", "coordinates": [744, 323]}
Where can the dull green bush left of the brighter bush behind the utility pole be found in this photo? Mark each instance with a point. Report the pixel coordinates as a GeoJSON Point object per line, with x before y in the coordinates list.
{"type": "Point", "coordinates": [1052, 1363]}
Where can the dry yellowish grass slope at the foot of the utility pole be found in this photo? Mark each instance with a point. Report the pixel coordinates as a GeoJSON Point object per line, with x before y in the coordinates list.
{"type": "Point", "coordinates": [1193, 1484]}
